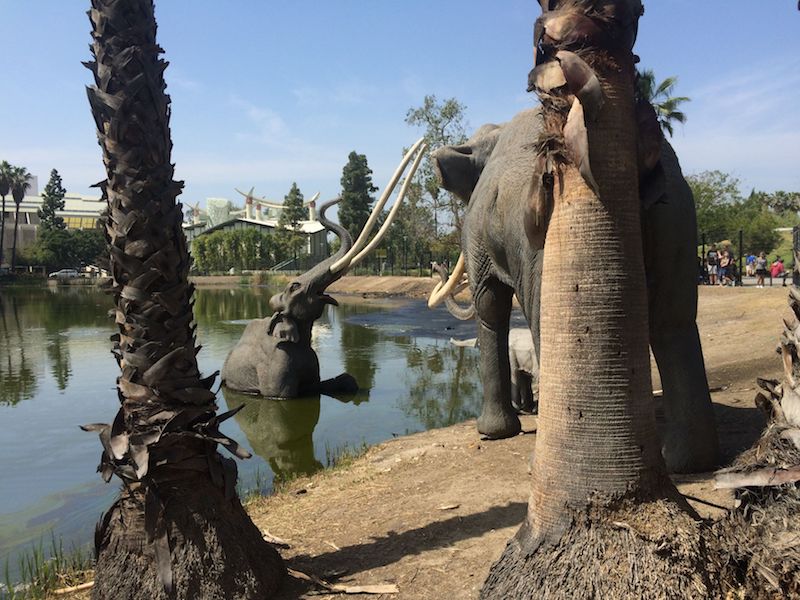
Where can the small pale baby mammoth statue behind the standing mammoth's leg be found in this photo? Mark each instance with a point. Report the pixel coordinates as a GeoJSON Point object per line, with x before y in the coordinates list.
{"type": "Point", "coordinates": [524, 367]}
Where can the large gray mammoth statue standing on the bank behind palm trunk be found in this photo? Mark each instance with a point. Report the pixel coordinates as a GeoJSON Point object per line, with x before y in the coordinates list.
{"type": "Point", "coordinates": [494, 174]}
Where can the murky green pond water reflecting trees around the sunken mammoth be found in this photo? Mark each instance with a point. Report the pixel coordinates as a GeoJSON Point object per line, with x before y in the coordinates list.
{"type": "Point", "coordinates": [57, 372]}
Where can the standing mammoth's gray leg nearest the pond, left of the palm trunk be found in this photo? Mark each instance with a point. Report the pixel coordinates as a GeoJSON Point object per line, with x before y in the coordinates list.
{"type": "Point", "coordinates": [493, 304]}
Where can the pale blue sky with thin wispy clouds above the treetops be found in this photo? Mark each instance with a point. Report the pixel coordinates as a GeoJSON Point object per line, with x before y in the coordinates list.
{"type": "Point", "coordinates": [265, 92]}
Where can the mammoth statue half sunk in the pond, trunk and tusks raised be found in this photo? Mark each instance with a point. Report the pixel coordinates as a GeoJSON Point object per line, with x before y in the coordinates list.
{"type": "Point", "coordinates": [274, 356]}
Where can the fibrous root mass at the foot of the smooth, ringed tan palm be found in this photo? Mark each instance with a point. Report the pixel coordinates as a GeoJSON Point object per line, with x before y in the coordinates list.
{"type": "Point", "coordinates": [652, 550]}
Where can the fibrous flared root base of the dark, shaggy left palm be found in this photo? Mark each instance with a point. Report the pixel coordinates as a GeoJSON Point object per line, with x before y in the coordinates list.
{"type": "Point", "coordinates": [215, 550]}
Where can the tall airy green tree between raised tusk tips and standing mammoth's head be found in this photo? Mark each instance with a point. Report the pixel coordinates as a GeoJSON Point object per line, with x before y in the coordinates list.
{"type": "Point", "coordinates": [443, 124]}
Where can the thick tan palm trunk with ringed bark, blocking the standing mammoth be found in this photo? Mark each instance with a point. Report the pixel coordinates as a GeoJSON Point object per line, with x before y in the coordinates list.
{"type": "Point", "coordinates": [604, 520]}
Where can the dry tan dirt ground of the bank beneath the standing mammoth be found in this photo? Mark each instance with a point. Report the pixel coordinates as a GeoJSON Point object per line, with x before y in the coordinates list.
{"type": "Point", "coordinates": [432, 511]}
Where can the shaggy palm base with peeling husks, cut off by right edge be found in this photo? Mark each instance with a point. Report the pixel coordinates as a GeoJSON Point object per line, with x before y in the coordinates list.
{"type": "Point", "coordinates": [760, 537]}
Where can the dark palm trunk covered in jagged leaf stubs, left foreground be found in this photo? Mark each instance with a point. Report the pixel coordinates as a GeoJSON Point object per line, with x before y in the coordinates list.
{"type": "Point", "coordinates": [177, 529]}
